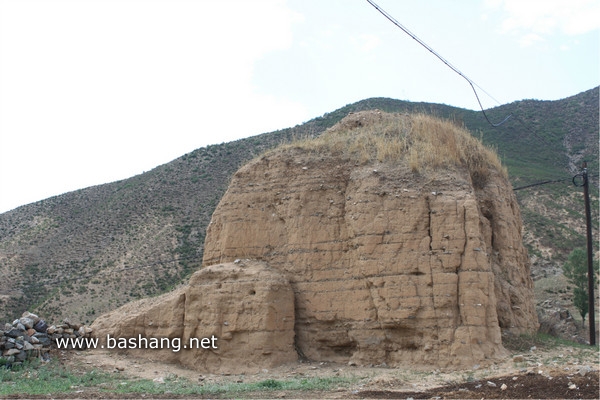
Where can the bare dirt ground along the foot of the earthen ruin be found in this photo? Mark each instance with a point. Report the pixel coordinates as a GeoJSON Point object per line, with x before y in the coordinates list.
{"type": "Point", "coordinates": [562, 372]}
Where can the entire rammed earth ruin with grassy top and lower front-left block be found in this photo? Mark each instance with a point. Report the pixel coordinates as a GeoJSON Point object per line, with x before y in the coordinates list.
{"type": "Point", "coordinates": [391, 239]}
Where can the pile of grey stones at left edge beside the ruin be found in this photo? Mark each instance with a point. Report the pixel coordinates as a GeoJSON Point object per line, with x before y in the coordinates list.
{"type": "Point", "coordinates": [30, 336]}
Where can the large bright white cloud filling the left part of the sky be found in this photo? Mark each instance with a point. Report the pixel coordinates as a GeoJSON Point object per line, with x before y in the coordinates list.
{"type": "Point", "coordinates": [99, 90]}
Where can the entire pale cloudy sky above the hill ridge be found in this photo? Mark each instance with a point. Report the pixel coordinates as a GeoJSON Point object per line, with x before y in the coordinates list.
{"type": "Point", "coordinates": [94, 91]}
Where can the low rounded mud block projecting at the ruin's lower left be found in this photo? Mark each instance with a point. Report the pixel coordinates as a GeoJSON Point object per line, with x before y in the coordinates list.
{"type": "Point", "coordinates": [234, 317]}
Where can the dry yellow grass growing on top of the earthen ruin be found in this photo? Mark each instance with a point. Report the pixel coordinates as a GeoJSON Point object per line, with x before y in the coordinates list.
{"type": "Point", "coordinates": [423, 142]}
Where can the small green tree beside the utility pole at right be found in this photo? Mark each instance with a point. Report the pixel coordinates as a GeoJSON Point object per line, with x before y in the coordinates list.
{"type": "Point", "coordinates": [575, 270]}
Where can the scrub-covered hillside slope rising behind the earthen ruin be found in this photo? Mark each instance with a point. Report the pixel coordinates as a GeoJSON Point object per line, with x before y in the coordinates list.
{"type": "Point", "coordinates": [89, 251]}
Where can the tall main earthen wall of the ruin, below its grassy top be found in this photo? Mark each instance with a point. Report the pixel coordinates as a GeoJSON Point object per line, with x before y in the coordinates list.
{"type": "Point", "coordinates": [387, 265]}
